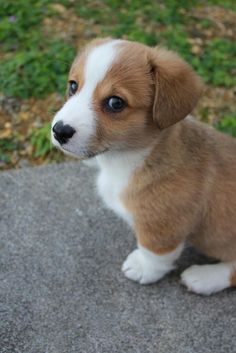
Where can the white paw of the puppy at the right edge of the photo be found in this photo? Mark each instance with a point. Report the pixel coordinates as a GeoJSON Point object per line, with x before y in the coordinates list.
{"type": "Point", "coordinates": [207, 279]}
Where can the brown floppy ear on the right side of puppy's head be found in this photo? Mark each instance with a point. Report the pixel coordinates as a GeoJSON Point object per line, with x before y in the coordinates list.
{"type": "Point", "coordinates": [177, 87]}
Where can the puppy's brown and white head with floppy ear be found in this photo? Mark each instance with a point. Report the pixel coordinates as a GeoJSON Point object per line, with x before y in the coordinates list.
{"type": "Point", "coordinates": [120, 96]}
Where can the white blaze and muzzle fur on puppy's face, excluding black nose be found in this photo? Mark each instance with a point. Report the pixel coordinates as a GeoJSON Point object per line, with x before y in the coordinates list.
{"type": "Point", "coordinates": [78, 110]}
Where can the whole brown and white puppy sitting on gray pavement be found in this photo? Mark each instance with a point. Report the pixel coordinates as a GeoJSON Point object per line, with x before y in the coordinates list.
{"type": "Point", "coordinates": [170, 177]}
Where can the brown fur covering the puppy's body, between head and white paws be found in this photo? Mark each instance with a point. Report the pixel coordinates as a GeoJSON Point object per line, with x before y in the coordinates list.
{"type": "Point", "coordinates": [186, 189]}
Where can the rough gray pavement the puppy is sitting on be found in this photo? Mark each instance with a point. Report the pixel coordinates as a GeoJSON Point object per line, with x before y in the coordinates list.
{"type": "Point", "coordinates": [61, 287]}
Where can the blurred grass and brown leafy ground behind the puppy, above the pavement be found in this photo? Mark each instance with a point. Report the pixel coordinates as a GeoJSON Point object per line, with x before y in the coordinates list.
{"type": "Point", "coordinates": [38, 40]}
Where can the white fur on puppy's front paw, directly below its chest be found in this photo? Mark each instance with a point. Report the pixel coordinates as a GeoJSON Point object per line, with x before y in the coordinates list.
{"type": "Point", "coordinates": [145, 267]}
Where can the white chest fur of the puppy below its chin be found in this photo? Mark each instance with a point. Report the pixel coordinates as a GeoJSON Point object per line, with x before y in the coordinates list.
{"type": "Point", "coordinates": [116, 170]}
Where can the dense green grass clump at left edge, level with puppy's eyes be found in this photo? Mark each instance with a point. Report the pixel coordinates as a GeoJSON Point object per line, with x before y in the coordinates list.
{"type": "Point", "coordinates": [37, 72]}
